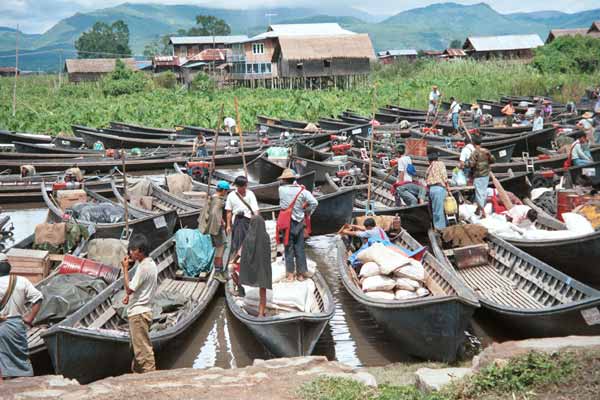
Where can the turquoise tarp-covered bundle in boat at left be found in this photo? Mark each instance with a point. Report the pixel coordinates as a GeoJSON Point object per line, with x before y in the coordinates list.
{"type": "Point", "coordinates": [194, 251]}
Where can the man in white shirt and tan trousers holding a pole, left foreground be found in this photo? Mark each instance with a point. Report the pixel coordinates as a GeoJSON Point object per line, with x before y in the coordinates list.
{"type": "Point", "coordinates": [139, 294]}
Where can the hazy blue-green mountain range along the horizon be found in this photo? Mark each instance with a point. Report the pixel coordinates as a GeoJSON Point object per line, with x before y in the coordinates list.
{"type": "Point", "coordinates": [431, 27]}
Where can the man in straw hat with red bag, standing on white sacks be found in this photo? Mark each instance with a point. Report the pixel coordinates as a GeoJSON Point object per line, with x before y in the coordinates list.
{"type": "Point", "coordinates": [296, 203]}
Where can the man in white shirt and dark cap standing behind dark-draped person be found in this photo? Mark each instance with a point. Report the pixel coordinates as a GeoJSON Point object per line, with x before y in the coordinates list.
{"type": "Point", "coordinates": [240, 205]}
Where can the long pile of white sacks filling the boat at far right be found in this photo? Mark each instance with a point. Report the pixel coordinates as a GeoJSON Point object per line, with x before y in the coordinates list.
{"type": "Point", "coordinates": [577, 225]}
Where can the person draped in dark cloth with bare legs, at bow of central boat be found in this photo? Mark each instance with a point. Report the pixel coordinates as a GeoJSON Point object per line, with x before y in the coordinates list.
{"type": "Point", "coordinates": [255, 261]}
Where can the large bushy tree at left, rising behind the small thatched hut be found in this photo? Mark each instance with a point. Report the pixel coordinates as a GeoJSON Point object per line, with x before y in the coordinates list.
{"type": "Point", "coordinates": [104, 41]}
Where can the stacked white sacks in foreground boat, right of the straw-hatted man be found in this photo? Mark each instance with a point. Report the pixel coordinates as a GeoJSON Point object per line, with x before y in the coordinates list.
{"type": "Point", "coordinates": [387, 274]}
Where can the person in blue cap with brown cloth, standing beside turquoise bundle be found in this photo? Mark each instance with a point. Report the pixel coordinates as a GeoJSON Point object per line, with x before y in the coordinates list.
{"type": "Point", "coordinates": [211, 222]}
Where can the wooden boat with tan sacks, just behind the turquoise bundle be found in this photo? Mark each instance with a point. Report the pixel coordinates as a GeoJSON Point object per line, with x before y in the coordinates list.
{"type": "Point", "coordinates": [163, 201]}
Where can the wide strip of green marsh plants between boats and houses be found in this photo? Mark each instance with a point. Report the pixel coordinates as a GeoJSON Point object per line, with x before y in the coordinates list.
{"type": "Point", "coordinates": [43, 106]}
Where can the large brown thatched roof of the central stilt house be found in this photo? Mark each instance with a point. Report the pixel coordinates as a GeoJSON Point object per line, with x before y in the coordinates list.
{"type": "Point", "coordinates": [324, 47]}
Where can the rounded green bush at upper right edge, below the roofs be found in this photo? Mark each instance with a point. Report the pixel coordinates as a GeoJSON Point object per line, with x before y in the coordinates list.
{"type": "Point", "coordinates": [579, 54]}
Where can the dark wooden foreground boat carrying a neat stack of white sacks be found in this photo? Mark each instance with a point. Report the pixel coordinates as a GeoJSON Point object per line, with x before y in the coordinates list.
{"type": "Point", "coordinates": [432, 327]}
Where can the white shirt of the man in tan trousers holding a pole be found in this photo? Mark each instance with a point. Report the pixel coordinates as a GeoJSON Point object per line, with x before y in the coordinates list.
{"type": "Point", "coordinates": [143, 284]}
